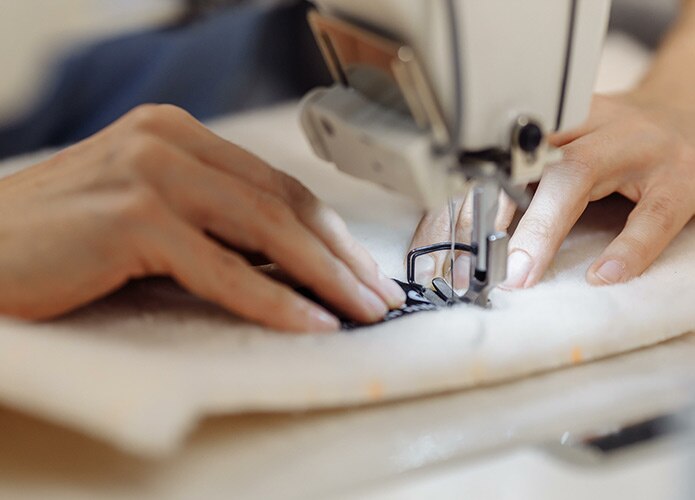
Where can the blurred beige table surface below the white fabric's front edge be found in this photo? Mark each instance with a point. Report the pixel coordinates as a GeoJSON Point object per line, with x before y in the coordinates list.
{"type": "Point", "coordinates": [374, 451]}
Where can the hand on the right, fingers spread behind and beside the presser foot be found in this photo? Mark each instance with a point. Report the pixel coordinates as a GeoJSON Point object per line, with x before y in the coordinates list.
{"type": "Point", "coordinates": [632, 144]}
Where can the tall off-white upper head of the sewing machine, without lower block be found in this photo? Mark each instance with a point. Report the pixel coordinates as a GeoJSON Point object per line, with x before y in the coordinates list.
{"type": "Point", "coordinates": [514, 57]}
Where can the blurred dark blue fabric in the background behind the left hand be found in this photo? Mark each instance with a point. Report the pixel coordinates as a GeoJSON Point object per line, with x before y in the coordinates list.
{"type": "Point", "coordinates": [229, 61]}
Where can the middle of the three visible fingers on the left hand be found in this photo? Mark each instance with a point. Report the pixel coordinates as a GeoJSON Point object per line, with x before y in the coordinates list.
{"type": "Point", "coordinates": [256, 221]}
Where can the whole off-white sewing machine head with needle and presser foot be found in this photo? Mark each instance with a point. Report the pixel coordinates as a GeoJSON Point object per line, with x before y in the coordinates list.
{"type": "Point", "coordinates": [438, 98]}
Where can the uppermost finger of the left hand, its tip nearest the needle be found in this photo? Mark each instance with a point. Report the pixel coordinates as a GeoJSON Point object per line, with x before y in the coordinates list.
{"type": "Point", "coordinates": [192, 137]}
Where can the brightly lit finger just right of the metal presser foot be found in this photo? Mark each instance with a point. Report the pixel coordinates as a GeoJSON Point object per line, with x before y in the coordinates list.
{"type": "Point", "coordinates": [562, 196]}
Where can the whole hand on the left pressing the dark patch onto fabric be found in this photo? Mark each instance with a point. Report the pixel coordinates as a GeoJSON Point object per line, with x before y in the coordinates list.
{"type": "Point", "coordinates": [144, 196]}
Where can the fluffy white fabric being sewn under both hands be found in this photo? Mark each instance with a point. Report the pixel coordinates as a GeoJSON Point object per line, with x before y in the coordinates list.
{"type": "Point", "coordinates": [141, 368]}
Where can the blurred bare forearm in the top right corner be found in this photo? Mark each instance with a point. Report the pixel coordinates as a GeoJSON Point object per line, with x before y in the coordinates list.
{"type": "Point", "coordinates": [671, 79]}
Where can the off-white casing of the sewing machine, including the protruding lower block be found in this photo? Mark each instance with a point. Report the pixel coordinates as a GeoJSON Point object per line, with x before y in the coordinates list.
{"type": "Point", "coordinates": [536, 58]}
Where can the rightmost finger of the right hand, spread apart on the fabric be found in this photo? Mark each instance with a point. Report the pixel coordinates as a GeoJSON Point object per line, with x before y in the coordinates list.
{"type": "Point", "coordinates": [652, 225]}
